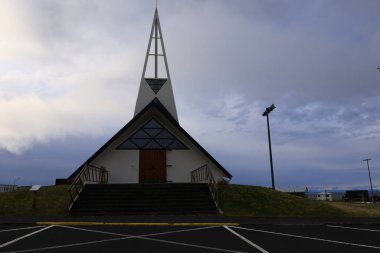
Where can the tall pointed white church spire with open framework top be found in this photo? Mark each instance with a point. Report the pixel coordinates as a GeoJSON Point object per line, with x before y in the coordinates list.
{"type": "Point", "coordinates": [155, 79]}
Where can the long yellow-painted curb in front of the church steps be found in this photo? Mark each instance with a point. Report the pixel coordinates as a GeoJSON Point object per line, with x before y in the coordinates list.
{"type": "Point", "coordinates": [85, 223]}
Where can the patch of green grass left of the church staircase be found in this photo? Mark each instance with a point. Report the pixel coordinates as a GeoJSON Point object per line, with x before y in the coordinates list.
{"type": "Point", "coordinates": [51, 201]}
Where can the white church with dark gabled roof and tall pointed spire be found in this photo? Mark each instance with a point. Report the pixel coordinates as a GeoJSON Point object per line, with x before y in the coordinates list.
{"type": "Point", "coordinates": [153, 147]}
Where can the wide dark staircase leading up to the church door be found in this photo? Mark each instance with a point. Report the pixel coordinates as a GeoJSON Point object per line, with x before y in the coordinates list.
{"type": "Point", "coordinates": [142, 199]}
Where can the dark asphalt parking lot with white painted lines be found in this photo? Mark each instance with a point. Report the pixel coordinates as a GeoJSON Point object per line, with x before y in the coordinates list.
{"type": "Point", "coordinates": [186, 238]}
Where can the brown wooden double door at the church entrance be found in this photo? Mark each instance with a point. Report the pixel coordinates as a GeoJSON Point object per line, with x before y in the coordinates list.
{"type": "Point", "coordinates": [152, 166]}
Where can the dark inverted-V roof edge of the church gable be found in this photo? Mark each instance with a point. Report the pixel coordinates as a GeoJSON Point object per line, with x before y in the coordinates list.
{"type": "Point", "coordinates": [157, 104]}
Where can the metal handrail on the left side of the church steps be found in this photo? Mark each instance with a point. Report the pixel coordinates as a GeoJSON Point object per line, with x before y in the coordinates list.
{"type": "Point", "coordinates": [88, 174]}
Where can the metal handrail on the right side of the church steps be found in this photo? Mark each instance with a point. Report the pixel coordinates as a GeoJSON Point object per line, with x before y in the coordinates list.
{"type": "Point", "coordinates": [204, 175]}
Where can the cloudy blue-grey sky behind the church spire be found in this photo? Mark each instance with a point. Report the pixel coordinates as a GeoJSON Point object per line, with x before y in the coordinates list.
{"type": "Point", "coordinates": [70, 72]}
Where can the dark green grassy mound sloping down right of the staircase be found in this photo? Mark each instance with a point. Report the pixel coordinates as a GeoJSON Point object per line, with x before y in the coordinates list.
{"type": "Point", "coordinates": [241, 200]}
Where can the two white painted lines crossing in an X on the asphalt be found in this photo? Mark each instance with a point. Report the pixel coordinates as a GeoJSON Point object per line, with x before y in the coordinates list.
{"type": "Point", "coordinates": [125, 236]}
